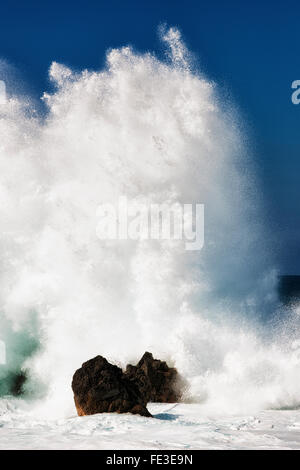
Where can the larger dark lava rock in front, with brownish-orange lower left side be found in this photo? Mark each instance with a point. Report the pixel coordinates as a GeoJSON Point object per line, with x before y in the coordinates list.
{"type": "Point", "coordinates": [101, 387]}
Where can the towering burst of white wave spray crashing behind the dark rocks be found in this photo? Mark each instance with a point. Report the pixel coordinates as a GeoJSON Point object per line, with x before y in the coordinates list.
{"type": "Point", "coordinates": [154, 131]}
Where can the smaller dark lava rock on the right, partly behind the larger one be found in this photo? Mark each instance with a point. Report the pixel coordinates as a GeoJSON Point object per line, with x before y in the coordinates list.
{"type": "Point", "coordinates": [156, 381]}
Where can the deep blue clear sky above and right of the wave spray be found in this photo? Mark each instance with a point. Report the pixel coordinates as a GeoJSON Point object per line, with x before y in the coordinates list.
{"type": "Point", "coordinates": [252, 49]}
